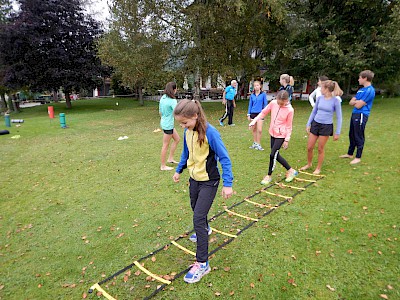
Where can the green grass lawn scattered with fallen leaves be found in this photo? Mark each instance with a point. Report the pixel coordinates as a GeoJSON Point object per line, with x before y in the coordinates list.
{"type": "Point", "coordinates": [77, 205]}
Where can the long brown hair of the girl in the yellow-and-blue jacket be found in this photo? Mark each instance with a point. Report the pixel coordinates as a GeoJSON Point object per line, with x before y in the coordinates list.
{"type": "Point", "coordinates": [190, 108]}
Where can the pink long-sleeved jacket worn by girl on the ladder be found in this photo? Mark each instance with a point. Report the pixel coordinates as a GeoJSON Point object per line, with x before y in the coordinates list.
{"type": "Point", "coordinates": [281, 119]}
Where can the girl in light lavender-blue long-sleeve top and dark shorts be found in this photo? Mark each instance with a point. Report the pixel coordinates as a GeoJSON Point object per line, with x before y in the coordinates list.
{"type": "Point", "coordinates": [320, 123]}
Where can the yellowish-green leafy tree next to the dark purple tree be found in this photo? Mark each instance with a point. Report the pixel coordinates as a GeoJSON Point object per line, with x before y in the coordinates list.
{"type": "Point", "coordinates": [135, 45]}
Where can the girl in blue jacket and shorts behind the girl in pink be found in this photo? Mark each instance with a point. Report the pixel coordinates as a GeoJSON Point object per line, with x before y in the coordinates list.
{"type": "Point", "coordinates": [258, 101]}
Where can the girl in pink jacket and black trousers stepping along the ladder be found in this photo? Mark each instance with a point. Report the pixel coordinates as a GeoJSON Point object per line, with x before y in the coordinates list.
{"type": "Point", "coordinates": [280, 130]}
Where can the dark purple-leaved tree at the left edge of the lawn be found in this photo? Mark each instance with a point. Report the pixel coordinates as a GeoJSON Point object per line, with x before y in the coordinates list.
{"type": "Point", "coordinates": [51, 45]}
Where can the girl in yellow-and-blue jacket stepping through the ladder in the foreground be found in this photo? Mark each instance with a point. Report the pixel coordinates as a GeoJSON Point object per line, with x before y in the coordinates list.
{"type": "Point", "coordinates": [202, 149]}
